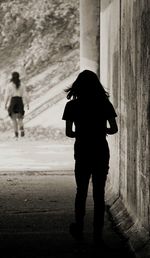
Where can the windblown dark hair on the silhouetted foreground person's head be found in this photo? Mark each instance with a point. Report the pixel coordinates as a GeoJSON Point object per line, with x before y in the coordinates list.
{"type": "Point", "coordinates": [87, 85]}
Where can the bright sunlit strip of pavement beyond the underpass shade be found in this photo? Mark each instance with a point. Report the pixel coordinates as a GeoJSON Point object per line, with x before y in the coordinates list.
{"type": "Point", "coordinates": [27, 155]}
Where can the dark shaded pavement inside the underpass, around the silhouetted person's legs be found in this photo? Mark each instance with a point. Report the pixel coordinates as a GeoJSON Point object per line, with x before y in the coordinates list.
{"type": "Point", "coordinates": [36, 210]}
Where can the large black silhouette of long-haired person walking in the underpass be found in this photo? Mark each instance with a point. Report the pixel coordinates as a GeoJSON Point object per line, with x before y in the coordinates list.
{"type": "Point", "coordinates": [88, 111]}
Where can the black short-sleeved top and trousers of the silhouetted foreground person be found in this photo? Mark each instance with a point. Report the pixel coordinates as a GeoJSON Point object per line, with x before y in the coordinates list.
{"type": "Point", "coordinates": [91, 153]}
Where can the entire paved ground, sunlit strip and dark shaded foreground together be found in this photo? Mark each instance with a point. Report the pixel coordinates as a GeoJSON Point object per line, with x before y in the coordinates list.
{"type": "Point", "coordinates": [36, 206]}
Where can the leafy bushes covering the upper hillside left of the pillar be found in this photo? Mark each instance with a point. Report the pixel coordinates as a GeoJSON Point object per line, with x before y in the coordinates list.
{"type": "Point", "coordinates": [37, 33]}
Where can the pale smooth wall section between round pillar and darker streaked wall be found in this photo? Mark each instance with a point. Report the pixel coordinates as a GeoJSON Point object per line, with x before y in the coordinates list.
{"type": "Point", "coordinates": [110, 76]}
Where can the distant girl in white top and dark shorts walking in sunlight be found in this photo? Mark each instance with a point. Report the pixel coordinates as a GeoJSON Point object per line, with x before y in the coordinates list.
{"type": "Point", "coordinates": [15, 99]}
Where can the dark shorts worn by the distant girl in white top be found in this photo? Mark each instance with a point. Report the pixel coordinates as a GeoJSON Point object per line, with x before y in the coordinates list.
{"type": "Point", "coordinates": [16, 106]}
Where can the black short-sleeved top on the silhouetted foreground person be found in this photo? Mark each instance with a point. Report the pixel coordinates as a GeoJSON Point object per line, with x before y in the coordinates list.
{"type": "Point", "coordinates": [90, 117]}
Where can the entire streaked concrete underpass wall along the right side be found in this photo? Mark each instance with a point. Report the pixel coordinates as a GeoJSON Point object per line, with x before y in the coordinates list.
{"type": "Point", "coordinates": [125, 73]}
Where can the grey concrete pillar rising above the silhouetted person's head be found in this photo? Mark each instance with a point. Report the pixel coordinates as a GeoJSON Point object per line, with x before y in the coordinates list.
{"type": "Point", "coordinates": [90, 35]}
